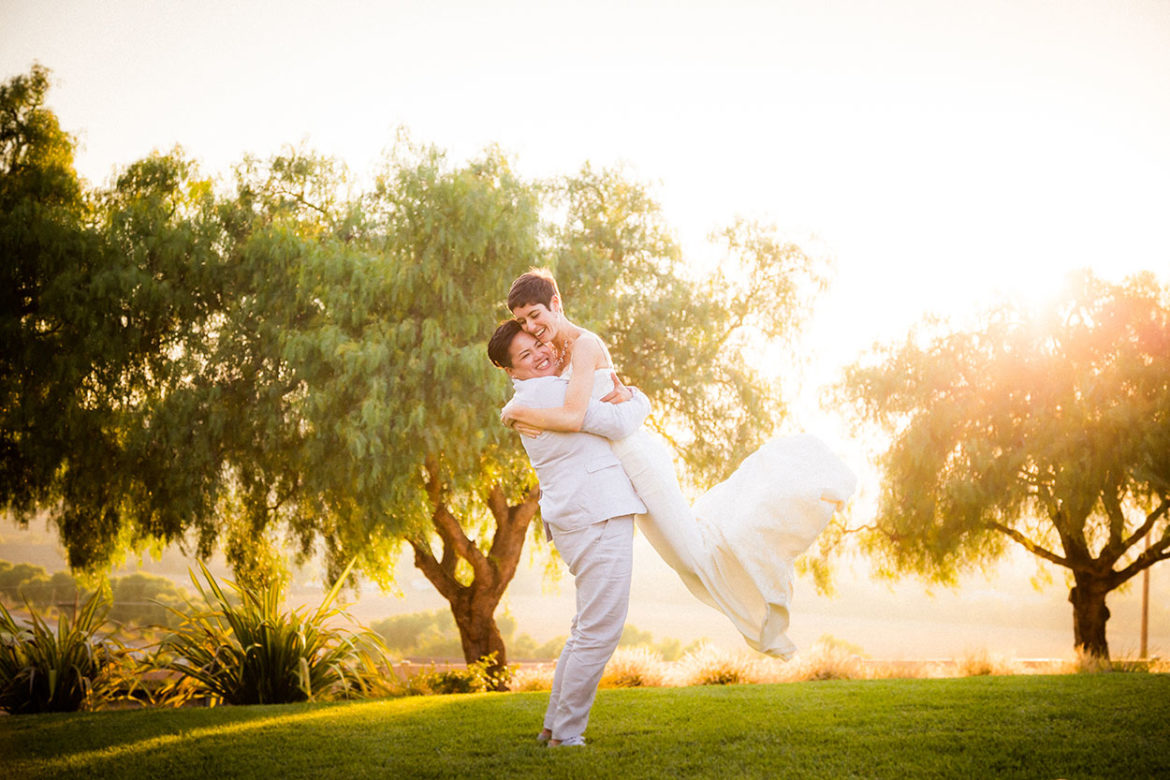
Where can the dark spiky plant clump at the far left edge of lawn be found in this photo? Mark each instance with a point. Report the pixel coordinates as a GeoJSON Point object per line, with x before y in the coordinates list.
{"type": "Point", "coordinates": [63, 671]}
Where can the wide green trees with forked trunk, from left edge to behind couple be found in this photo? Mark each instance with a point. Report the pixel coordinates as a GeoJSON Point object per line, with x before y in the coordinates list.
{"type": "Point", "coordinates": [287, 356]}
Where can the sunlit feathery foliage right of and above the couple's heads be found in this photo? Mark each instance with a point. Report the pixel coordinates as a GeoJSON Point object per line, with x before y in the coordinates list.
{"type": "Point", "coordinates": [675, 336]}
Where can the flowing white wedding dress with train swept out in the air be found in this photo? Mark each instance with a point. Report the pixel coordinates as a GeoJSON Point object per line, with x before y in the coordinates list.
{"type": "Point", "coordinates": [735, 548]}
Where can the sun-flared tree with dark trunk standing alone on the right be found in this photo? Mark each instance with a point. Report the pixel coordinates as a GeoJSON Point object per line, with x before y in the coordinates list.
{"type": "Point", "coordinates": [1045, 429]}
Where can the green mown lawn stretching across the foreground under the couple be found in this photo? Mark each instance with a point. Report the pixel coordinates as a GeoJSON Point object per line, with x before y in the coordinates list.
{"type": "Point", "coordinates": [1028, 727]}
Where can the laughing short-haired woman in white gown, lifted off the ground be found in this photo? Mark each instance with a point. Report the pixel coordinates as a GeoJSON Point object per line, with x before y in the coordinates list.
{"type": "Point", "coordinates": [735, 548]}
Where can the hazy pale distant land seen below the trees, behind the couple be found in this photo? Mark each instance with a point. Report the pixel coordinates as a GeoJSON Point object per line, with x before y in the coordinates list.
{"type": "Point", "coordinates": [1003, 615]}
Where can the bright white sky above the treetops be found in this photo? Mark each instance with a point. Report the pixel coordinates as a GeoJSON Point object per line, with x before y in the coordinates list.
{"type": "Point", "coordinates": [942, 151]}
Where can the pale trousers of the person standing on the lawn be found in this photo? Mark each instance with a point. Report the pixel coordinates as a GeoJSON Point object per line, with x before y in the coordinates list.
{"type": "Point", "coordinates": [601, 560]}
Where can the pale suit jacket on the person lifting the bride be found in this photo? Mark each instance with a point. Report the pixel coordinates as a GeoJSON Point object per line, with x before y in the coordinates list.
{"type": "Point", "coordinates": [582, 481]}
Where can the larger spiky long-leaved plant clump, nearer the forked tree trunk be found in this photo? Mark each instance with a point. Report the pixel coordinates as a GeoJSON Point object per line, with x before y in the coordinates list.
{"type": "Point", "coordinates": [252, 653]}
